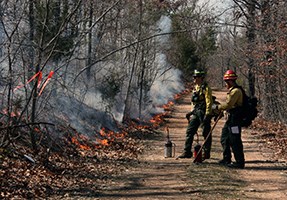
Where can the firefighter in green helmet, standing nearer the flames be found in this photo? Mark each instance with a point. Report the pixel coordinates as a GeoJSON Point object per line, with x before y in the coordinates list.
{"type": "Point", "coordinates": [200, 115]}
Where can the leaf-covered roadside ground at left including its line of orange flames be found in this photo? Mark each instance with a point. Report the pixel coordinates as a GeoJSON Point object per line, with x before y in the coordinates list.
{"type": "Point", "coordinates": [67, 162]}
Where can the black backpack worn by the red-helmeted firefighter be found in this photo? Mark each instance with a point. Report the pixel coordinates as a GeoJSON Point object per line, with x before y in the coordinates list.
{"type": "Point", "coordinates": [249, 109]}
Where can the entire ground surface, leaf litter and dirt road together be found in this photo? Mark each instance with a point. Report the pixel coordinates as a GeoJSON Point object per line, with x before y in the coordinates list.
{"type": "Point", "coordinates": [136, 168]}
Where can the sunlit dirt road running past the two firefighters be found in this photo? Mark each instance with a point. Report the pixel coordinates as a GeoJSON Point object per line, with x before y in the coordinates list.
{"type": "Point", "coordinates": [167, 178]}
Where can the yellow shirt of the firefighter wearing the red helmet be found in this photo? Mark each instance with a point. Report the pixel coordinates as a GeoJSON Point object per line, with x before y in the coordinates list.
{"type": "Point", "coordinates": [234, 99]}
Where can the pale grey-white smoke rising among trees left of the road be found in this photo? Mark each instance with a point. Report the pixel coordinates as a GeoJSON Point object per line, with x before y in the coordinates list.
{"type": "Point", "coordinates": [88, 111]}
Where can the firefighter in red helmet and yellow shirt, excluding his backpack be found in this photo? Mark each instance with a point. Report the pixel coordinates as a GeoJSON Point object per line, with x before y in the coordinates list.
{"type": "Point", "coordinates": [231, 132]}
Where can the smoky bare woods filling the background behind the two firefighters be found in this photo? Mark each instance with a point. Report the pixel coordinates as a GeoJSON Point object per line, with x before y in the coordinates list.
{"type": "Point", "coordinates": [91, 64]}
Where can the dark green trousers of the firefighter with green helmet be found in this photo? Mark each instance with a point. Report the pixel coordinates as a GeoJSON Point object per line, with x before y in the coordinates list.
{"type": "Point", "coordinates": [194, 123]}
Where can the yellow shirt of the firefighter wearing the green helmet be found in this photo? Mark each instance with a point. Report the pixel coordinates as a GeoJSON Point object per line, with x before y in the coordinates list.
{"type": "Point", "coordinates": [205, 94]}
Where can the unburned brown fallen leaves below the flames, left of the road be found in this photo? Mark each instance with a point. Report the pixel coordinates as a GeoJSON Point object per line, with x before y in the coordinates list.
{"type": "Point", "coordinates": [66, 169]}
